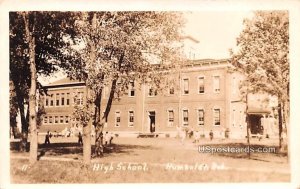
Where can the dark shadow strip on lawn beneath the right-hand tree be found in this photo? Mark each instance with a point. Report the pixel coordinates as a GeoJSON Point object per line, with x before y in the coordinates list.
{"type": "Point", "coordinates": [273, 151]}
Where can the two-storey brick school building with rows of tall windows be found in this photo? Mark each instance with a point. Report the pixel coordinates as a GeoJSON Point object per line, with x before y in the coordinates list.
{"type": "Point", "coordinates": [206, 97]}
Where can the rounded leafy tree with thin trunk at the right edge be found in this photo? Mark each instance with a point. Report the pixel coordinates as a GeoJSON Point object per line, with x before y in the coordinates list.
{"type": "Point", "coordinates": [262, 56]}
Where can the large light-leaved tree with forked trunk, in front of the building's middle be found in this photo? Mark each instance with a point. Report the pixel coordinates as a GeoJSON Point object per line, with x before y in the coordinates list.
{"type": "Point", "coordinates": [116, 48]}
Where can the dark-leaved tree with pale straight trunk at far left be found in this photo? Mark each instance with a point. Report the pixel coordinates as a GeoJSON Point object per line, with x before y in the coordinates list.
{"type": "Point", "coordinates": [36, 39]}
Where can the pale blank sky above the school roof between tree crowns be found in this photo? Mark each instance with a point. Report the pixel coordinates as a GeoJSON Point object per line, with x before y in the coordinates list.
{"type": "Point", "coordinates": [216, 31]}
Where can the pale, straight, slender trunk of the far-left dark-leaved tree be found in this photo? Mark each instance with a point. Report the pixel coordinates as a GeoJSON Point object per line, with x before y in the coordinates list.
{"type": "Point", "coordinates": [32, 93]}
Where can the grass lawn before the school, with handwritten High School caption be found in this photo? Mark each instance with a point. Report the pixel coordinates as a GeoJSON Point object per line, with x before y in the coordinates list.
{"type": "Point", "coordinates": [150, 160]}
